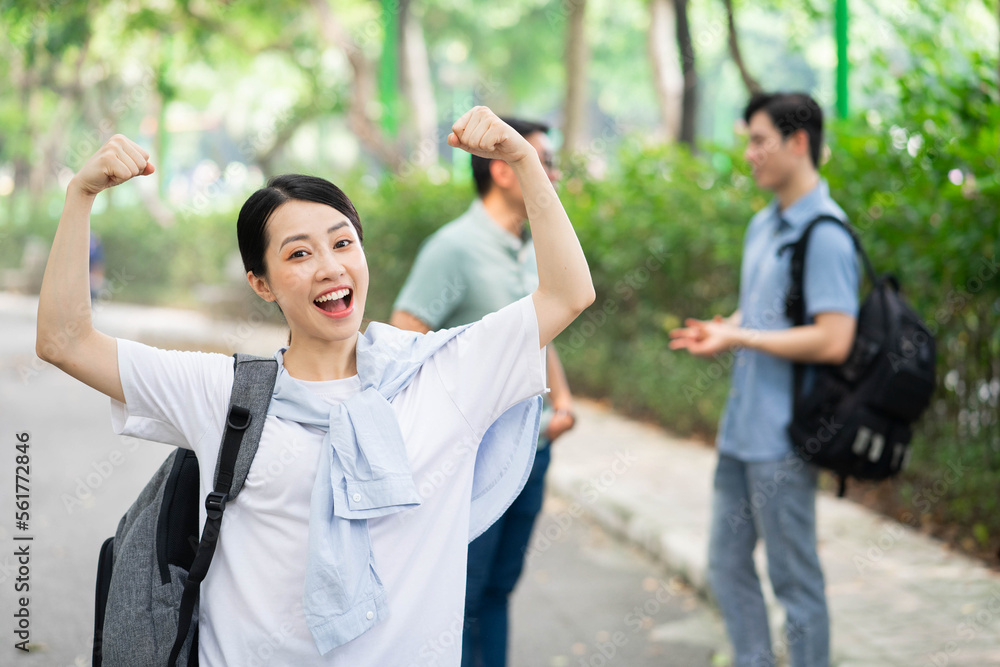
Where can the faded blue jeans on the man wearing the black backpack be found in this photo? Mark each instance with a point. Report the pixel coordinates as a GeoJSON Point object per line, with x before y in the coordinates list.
{"type": "Point", "coordinates": [776, 501]}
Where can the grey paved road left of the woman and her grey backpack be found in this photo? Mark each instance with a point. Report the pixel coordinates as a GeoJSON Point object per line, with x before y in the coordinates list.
{"type": "Point", "coordinates": [81, 479]}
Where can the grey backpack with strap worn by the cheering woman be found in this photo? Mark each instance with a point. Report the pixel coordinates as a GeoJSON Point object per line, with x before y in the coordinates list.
{"type": "Point", "coordinates": [149, 574]}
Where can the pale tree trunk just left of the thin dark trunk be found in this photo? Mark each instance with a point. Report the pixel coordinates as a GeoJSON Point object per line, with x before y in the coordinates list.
{"type": "Point", "coordinates": [667, 72]}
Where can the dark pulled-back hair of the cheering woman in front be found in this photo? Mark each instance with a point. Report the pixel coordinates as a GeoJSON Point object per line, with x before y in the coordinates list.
{"type": "Point", "coordinates": [251, 227]}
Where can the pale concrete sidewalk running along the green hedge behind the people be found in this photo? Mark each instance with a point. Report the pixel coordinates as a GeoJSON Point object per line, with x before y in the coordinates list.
{"type": "Point", "coordinates": [896, 597]}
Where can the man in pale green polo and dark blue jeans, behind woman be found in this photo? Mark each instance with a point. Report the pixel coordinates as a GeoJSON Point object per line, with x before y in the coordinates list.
{"type": "Point", "coordinates": [473, 266]}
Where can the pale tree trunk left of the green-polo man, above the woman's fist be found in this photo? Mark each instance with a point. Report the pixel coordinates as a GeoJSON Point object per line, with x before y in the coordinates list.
{"type": "Point", "coordinates": [417, 87]}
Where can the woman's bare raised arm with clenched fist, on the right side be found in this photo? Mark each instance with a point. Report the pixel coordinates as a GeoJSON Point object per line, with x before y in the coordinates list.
{"type": "Point", "coordinates": [565, 288]}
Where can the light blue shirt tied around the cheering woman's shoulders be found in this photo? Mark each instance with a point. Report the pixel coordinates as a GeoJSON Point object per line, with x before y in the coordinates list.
{"type": "Point", "coordinates": [364, 473]}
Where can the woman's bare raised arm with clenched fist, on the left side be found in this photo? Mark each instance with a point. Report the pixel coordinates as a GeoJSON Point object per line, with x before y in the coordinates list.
{"type": "Point", "coordinates": [66, 336]}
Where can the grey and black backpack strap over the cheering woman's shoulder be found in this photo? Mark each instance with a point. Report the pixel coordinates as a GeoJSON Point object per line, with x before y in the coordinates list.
{"type": "Point", "coordinates": [253, 385]}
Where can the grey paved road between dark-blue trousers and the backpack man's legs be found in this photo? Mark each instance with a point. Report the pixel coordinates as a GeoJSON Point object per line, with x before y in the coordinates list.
{"type": "Point", "coordinates": [587, 600]}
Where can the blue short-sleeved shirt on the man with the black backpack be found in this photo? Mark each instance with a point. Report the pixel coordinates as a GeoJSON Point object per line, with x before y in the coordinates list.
{"type": "Point", "coordinates": [759, 408]}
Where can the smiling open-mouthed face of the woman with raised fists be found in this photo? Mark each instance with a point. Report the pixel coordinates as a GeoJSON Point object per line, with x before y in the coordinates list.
{"type": "Point", "coordinates": [316, 271]}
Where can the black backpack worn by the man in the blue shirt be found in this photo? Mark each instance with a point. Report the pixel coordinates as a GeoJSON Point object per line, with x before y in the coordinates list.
{"type": "Point", "coordinates": [856, 418]}
